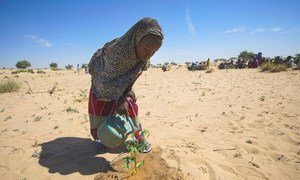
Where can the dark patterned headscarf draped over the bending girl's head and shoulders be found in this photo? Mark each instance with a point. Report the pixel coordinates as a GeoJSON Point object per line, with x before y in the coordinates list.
{"type": "Point", "coordinates": [115, 66]}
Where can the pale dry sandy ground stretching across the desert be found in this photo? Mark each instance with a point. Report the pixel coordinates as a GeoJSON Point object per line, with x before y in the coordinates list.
{"type": "Point", "coordinates": [228, 124]}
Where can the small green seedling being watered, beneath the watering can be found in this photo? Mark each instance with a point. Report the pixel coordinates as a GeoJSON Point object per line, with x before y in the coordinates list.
{"type": "Point", "coordinates": [134, 147]}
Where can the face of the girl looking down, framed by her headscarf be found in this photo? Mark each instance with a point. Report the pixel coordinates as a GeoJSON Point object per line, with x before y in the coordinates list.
{"type": "Point", "coordinates": [147, 47]}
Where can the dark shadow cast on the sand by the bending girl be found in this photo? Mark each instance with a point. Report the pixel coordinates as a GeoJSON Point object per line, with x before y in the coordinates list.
{"type": "Point", "coordinates": [67, 155]}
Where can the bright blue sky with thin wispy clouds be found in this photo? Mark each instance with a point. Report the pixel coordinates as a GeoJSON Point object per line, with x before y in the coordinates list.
{"type": "Point", "coordinates": [70, 31]}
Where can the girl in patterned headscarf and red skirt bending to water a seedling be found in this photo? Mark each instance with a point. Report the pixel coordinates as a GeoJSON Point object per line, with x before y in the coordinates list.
{"type": "Point", "coordinates": [114, 70]}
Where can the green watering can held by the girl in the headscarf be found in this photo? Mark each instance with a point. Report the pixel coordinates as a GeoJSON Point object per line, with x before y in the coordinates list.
{"type": "Point", "coordinates": [114, 130]}
